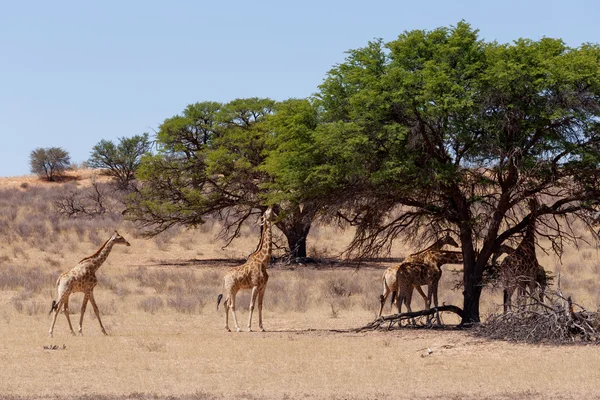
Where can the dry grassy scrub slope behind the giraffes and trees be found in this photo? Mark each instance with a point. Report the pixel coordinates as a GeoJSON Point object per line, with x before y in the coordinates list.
{"type": "Point", "coordinates": [180, 270]}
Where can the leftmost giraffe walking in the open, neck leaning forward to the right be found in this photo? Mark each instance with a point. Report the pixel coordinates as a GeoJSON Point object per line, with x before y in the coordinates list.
{"type": "Point", "coordinates": [82, 278]}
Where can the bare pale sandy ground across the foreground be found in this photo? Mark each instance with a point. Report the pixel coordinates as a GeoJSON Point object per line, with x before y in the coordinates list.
{"type": "Point", "coordinates": [299, 357]}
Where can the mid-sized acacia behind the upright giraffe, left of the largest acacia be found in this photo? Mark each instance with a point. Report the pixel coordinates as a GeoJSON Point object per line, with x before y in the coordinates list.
{"type": "Point", "coordinates": [210, 161]}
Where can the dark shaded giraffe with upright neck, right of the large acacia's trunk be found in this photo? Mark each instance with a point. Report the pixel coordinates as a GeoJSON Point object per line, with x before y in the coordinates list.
{"type": "Point", "coordinates": [520, 268]}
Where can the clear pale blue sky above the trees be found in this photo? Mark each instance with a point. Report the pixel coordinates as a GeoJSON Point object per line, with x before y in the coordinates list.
{"type": "Point", "coordinates": [75, 72]}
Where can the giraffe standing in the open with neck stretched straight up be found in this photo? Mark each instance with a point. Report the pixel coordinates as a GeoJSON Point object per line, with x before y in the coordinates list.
{"type": "Point", "coordinates": [251, 275]}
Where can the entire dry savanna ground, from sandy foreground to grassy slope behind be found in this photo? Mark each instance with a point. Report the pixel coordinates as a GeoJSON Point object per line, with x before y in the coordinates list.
{"type": "Point", "coordinates": [157, 299]}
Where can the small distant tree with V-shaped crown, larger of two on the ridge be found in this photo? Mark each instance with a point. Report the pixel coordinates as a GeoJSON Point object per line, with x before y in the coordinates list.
{"type": "Point", "coordinates": [121, 160]}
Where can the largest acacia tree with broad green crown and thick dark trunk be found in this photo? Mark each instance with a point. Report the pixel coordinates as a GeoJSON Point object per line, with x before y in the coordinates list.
{"type": "Point", "coordinates": [441, 131]}
